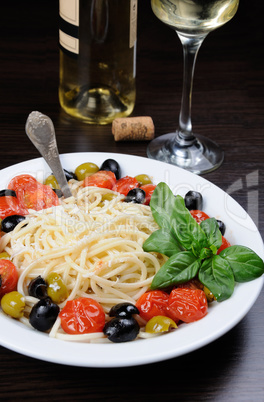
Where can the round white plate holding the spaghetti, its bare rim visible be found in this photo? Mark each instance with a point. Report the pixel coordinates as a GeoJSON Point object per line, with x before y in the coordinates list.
{"type": "Point", "coordinates": [221, 317]}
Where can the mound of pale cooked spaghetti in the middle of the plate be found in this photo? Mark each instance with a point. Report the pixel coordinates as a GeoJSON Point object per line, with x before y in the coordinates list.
{"type": "Point", "coordinates": [93, 240]}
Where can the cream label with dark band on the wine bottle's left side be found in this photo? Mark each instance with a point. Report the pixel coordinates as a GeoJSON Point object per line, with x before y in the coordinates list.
{"type": "Point", "coordinates": [69, 26]}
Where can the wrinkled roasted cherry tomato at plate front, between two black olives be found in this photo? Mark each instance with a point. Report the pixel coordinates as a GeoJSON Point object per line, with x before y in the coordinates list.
{"type": "Point", "coordinates": [82, 316]}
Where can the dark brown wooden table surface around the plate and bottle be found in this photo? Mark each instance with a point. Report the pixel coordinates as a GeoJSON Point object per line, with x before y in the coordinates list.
{"type": "Point", "coordinates": [227, 106]}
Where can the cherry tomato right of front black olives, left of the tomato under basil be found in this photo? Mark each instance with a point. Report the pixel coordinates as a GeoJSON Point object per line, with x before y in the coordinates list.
{"type": "Point", "coordinates": [153, 303]}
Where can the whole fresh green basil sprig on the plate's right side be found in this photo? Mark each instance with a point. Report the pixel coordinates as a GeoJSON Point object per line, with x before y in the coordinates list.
{"type": "Point", "coordinates": [192, 249]}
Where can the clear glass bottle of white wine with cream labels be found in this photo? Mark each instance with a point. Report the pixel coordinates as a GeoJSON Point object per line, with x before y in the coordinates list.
{"type": "Point", "coordinates": [97, 40]}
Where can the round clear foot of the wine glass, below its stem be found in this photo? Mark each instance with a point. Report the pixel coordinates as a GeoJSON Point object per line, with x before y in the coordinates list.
{"type": "Point", "coordinates": [200, 156]}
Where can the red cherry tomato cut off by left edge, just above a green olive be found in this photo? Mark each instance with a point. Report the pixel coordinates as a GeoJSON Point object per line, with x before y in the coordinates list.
{"type": "Point", "coordinates": [8, 277]}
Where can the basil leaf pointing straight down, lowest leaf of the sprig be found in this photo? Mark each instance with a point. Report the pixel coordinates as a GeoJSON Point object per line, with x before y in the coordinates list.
{"type": "Point", "coordinates": [216, 274]}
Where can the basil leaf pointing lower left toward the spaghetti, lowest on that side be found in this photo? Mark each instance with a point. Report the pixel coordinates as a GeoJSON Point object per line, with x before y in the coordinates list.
{"type": "Point", "coordinates": [179, 268]}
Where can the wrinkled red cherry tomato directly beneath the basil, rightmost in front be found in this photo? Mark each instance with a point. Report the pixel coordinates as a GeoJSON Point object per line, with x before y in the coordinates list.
{"type": "Point", "coordinates": [187, 305]}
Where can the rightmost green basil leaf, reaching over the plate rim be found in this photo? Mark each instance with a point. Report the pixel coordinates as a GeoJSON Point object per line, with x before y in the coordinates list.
{"type": "Point", "coordinates": [244, 262]}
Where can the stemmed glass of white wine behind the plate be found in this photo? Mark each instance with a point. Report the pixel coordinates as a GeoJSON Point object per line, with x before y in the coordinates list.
{"type": "Point", "coordinates": [192, 20]}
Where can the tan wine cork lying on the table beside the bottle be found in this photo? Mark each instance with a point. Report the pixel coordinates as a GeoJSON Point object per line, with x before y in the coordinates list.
{"type": "Point", "coordinates": [133, 128]}
